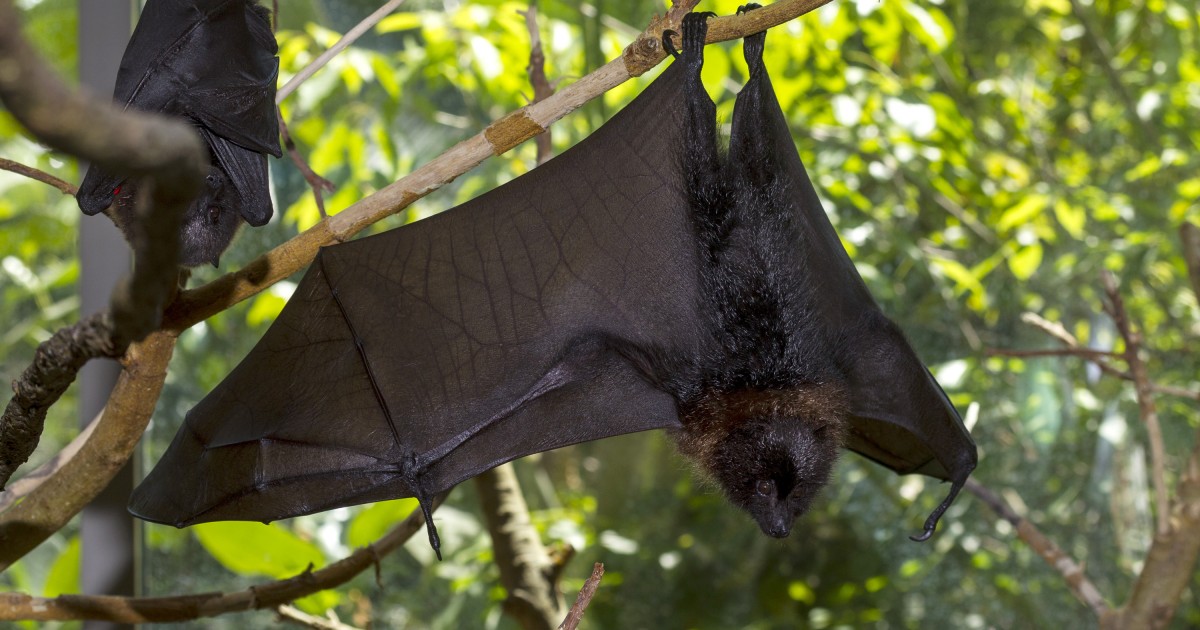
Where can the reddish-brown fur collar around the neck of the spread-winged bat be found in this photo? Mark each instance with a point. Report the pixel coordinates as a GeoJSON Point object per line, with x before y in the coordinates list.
{"type": "Point", "coordinates": [711, 419]}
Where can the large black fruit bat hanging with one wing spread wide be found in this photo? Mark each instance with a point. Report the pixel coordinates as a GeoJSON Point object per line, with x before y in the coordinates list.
{"type": "Point", "coordinates": [638, 281]}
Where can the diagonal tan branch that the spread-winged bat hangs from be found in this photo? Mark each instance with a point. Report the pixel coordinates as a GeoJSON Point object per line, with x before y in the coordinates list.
{"type": "Point", "coordinates": [512, 130]}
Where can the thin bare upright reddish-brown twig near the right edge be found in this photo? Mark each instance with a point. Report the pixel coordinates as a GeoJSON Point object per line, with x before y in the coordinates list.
{"type": "Point", "coordinates": [1147, 407]}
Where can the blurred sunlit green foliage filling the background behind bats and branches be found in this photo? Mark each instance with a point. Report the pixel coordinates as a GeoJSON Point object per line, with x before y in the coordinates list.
{"type": "Point", "coordinates": [980, 160]}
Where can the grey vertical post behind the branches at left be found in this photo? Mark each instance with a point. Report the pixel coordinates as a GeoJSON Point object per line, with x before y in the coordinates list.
{"type": "Point", "coordinates": [107, 531]}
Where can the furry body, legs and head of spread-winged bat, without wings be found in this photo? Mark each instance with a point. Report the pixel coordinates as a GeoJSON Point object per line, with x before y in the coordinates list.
{"type": "Point", "coordinates": [765, 411]}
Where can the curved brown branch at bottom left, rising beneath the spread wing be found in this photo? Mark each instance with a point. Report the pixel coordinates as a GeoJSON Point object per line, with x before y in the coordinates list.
{"type": "Point", "coordinates": [15, 607]}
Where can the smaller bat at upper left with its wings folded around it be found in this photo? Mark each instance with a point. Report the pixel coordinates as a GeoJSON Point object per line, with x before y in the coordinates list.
{"type": "Point", "coordinates": [213, 63]}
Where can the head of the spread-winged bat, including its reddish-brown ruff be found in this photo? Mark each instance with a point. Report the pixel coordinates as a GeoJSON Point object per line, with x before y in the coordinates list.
{"type": "Point", "coordinates": [771, 452]}
